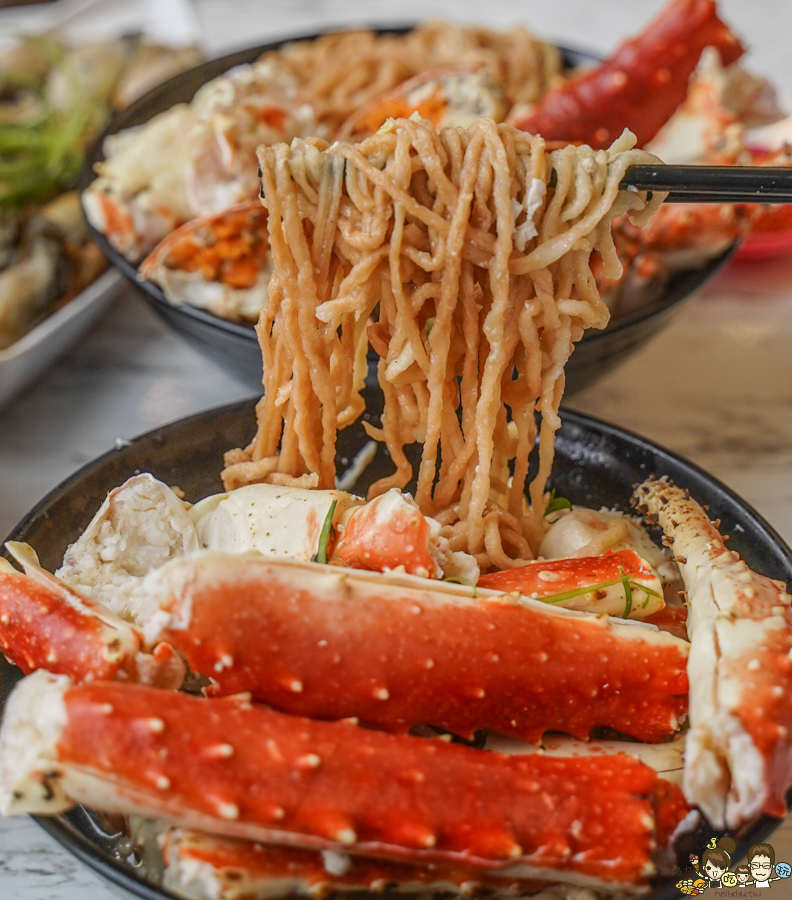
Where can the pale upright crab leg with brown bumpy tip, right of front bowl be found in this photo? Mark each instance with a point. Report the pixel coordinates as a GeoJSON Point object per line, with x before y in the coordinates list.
{"type": "Point", "coordinates": [739, 750]}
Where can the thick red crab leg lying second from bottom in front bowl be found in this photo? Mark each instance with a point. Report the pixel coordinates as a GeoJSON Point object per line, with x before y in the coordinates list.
{"type": "Point", "coordinates": [399, 651]}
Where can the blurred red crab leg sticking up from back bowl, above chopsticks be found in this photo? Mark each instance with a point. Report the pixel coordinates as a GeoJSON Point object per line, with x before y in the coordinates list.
{"type": "Point", "coordinates": [640, 86]}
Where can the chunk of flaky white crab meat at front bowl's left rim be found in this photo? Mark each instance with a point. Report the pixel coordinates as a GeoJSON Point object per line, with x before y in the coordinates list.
{"type": "Point", "coordinates": [139, 527]}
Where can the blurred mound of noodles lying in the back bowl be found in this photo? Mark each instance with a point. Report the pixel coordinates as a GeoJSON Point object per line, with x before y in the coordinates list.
{"type": "Point", "coordinates": [321, 68]}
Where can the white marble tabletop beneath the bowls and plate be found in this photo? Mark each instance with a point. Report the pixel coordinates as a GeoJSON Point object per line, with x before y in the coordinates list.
{"type": "Point", "coordinates": [715, 387]}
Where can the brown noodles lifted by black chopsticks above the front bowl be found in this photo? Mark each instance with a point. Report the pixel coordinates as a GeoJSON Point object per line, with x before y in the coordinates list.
{"type": "Point", "coordinates": [475, 248]}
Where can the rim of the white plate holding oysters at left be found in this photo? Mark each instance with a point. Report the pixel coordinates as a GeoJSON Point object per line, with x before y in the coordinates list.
{"type": "Point", "coordinates": [24, 361]}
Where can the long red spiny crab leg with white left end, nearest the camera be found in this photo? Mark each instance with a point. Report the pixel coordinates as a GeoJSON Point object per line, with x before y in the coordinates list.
{"type": "Point", "coordinates": [231, 768]}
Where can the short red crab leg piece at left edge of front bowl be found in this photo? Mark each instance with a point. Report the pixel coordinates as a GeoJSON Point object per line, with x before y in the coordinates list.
{"type": "Point", "coordinates": [44, 624]}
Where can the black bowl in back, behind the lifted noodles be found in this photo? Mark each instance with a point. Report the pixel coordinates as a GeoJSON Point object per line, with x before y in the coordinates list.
{"type": "Point", "coordinates": [233, 345]}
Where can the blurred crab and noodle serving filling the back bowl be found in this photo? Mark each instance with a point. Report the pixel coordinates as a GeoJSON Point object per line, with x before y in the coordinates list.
{"type": "Point", "coordinates": [178, 194]}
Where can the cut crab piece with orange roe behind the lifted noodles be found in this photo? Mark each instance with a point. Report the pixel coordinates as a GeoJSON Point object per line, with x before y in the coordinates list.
{"type": "Point", "coordinates": [449, 97]}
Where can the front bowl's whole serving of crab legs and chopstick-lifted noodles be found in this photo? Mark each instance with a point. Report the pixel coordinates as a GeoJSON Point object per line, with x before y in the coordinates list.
{"type": "Point", "coordinates": [471, 688]}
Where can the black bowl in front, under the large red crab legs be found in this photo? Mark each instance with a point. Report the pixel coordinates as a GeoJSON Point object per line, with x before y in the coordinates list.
{"type": "Point", "coordinates": [595, 465]}
